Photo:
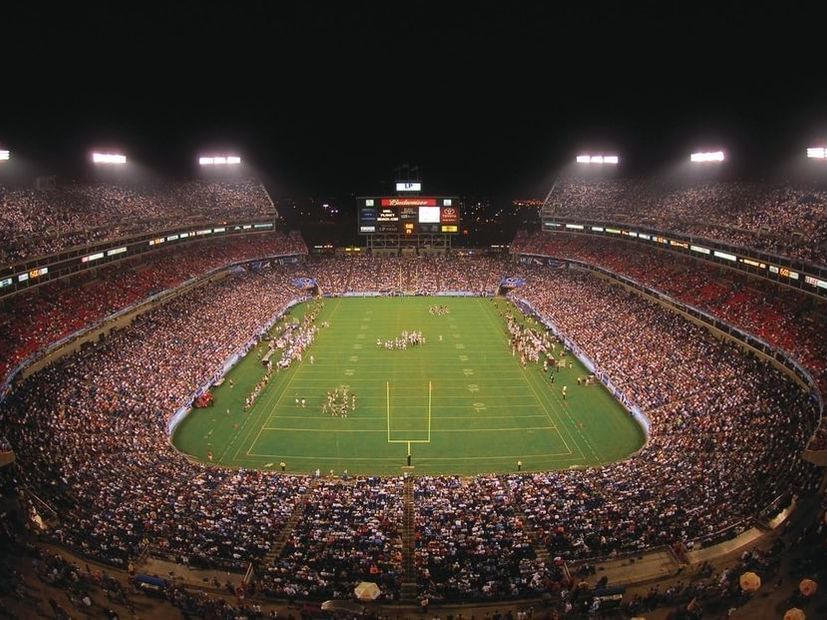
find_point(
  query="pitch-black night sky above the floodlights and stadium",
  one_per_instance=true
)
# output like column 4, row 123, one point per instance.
column 487, row 98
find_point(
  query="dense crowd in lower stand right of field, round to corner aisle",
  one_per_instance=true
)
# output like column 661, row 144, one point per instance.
column 726, row 438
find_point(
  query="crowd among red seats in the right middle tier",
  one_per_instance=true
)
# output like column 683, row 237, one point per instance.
column 791, row 321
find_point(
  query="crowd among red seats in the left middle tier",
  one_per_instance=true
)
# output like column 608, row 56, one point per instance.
column 34, row 319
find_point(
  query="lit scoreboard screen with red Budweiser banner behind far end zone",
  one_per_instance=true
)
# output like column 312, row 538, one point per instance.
column 408, row 215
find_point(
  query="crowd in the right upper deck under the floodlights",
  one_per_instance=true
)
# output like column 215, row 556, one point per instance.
column 780, row 218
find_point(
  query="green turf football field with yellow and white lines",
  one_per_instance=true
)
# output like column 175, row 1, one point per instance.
column 486, row 411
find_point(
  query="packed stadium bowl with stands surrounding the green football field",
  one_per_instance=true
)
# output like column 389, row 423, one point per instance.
column 193, row 397
